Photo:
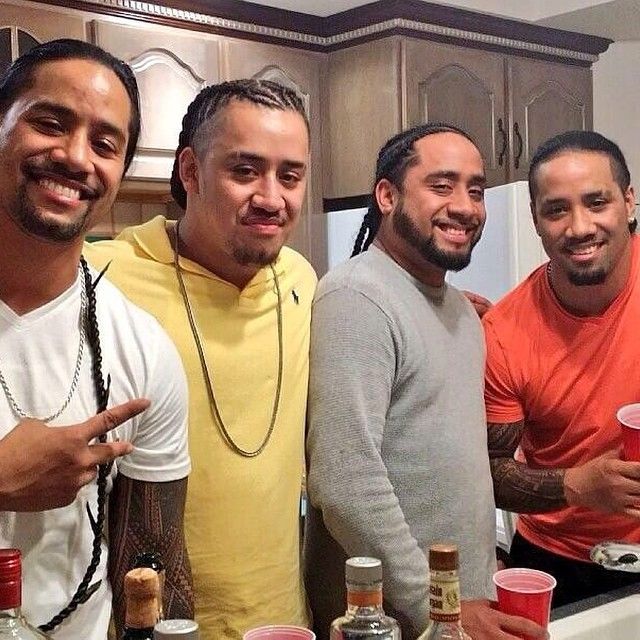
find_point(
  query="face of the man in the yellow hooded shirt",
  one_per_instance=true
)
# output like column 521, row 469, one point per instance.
column 245, row 189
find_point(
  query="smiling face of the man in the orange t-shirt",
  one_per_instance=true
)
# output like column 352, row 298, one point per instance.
column 581, row 215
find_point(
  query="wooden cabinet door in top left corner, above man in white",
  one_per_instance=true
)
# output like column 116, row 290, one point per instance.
column 21, row 28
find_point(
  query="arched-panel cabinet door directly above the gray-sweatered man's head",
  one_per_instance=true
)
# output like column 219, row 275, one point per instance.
column 463, row 87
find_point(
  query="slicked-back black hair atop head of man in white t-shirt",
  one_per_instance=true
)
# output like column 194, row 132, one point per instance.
column 18, row 78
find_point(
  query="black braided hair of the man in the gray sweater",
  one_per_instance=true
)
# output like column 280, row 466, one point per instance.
column 395, row 157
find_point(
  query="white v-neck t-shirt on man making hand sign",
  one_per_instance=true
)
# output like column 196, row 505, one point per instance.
column 37, row 357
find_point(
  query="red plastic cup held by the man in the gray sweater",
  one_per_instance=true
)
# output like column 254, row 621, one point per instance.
column 525, row 593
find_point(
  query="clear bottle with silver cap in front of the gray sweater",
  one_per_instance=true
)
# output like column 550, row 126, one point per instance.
column 365, row 618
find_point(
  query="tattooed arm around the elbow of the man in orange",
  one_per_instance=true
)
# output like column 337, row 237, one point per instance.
column 516, row 486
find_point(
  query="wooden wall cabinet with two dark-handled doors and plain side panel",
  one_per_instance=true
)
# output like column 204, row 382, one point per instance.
column 508, row 104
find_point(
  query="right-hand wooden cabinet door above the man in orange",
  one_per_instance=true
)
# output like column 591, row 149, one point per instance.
column 546, row 99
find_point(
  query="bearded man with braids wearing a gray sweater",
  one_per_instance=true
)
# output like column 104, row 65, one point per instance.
column 397, row 442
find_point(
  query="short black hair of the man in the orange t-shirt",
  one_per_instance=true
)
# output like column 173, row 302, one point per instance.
column 580, row 141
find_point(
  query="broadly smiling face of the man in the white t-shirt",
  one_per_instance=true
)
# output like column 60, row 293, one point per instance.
column 62, row 149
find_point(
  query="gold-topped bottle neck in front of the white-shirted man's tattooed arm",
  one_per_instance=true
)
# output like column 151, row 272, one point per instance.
column 141, row 590
